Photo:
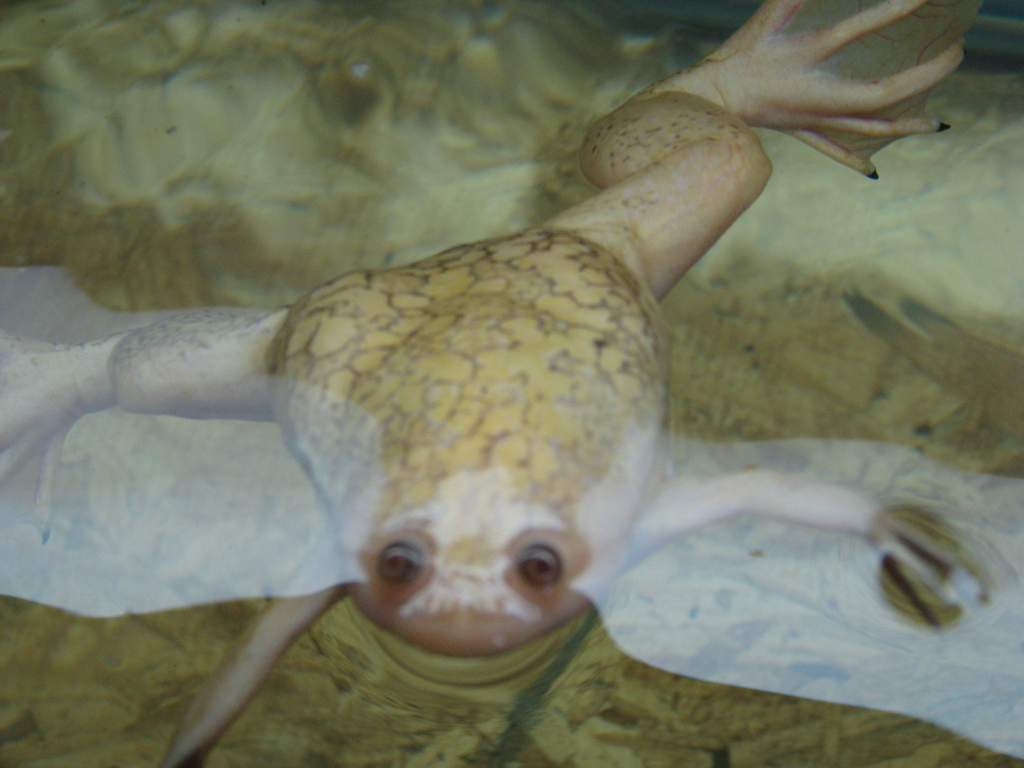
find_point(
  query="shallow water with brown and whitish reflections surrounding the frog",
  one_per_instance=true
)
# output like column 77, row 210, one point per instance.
column 172, row 155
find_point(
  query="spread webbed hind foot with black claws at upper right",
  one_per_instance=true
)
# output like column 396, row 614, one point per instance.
column 845, row 86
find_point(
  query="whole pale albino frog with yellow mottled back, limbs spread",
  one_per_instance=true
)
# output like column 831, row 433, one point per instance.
column 491, row 421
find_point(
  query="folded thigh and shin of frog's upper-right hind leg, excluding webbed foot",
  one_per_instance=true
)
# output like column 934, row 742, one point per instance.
column 678, row 170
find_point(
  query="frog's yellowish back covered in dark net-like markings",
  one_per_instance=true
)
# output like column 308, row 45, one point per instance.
column 532, row 353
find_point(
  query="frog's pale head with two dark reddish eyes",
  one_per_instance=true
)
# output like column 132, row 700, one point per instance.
column 474, row 572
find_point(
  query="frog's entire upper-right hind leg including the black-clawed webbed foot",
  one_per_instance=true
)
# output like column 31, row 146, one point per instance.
column 680, row 161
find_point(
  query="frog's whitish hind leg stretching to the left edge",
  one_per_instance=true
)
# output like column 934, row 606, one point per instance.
column 203, row 364
